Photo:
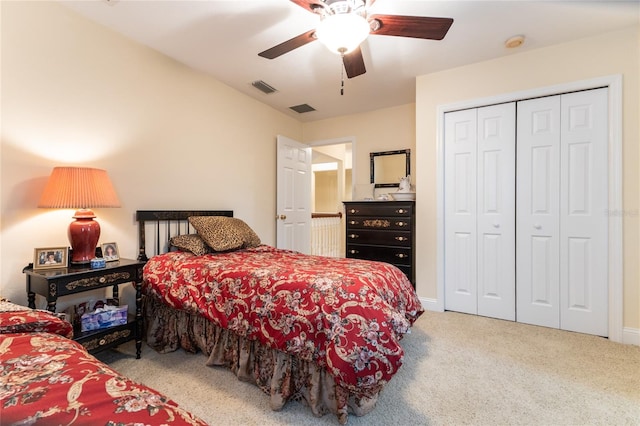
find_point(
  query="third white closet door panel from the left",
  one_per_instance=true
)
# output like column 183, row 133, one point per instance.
column 538, row 197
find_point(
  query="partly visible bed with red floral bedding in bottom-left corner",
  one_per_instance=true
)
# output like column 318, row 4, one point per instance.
column 47, row 379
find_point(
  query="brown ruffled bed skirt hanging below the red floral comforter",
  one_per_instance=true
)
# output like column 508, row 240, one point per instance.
column 283, row 377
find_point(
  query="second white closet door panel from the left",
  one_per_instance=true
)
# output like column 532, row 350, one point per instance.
column 496, row 211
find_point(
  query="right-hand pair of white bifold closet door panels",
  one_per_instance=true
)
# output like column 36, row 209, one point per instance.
column 562, row 257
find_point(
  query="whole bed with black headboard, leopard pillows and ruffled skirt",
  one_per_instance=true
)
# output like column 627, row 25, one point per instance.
column 324, row 331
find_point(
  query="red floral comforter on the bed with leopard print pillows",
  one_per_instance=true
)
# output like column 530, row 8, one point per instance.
column 346, row 315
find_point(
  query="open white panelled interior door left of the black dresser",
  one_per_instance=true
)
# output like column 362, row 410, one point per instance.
column 293, row 214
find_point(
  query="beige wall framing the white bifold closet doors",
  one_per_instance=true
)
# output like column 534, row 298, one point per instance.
column 608, row 54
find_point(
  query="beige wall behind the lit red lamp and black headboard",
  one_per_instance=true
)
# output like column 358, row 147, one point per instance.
column 74, row 93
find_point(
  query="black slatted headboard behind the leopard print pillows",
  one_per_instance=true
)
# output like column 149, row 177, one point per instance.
column 165, row 224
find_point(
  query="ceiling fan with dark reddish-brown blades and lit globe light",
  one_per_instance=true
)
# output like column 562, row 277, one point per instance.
column 344, row 24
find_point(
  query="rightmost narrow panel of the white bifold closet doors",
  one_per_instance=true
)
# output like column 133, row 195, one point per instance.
column 583, row 219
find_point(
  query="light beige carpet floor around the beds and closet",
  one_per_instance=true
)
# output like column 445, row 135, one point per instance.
column 459, row 370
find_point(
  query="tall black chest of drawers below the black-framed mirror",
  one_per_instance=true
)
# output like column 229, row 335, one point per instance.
column 384, row 231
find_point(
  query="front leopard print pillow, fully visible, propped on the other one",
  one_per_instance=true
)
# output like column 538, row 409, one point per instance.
column 223, row 233
